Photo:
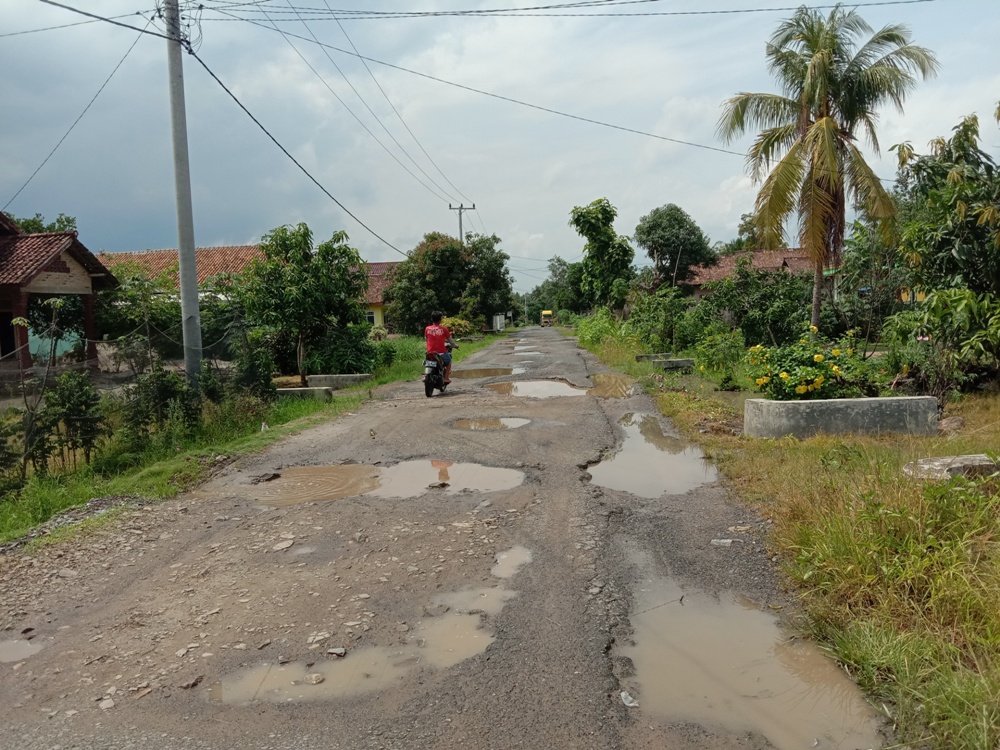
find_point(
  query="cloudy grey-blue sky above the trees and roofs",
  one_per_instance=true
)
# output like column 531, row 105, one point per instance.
column 666, row 73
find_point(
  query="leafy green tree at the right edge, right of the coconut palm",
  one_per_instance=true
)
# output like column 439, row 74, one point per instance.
column 952, row 238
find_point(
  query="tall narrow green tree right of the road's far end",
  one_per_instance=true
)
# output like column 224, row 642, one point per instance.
column 607, row 262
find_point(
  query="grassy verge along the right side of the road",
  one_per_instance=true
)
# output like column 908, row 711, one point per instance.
column 900, row 578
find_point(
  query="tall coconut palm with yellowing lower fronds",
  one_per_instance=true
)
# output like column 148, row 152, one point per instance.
column 832, row 81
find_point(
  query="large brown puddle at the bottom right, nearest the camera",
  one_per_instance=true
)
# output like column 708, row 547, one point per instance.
column 726, row 662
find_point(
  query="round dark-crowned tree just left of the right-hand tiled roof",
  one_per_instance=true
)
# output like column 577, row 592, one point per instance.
column 674, row 242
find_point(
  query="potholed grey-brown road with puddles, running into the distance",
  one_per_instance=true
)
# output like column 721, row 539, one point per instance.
column 393, row 579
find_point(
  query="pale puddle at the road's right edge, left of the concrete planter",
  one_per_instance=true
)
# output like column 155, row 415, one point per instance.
column 650, row 464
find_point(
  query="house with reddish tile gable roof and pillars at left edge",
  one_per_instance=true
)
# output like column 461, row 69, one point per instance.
column 45, row 264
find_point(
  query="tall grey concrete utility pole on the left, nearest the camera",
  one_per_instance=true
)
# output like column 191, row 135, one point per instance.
column 190, row 317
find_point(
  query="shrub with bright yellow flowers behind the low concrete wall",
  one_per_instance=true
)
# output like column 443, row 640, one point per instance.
column 813, row 367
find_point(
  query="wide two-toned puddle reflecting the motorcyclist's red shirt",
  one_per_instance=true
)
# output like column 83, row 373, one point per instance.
column 302, row 484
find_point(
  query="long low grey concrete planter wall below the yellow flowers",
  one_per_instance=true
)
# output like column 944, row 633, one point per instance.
column 913, row 415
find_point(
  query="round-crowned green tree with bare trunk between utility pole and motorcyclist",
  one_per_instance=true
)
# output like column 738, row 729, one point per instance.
column 304, row 291
